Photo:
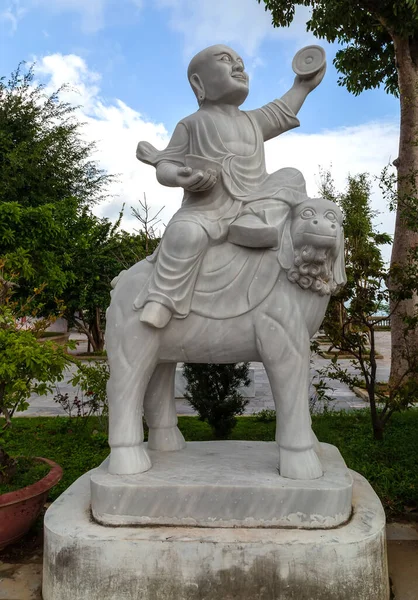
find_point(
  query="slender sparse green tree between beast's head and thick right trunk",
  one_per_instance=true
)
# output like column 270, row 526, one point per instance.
column 351, row 320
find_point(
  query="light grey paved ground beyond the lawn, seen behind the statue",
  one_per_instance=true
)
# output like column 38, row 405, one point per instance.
column 343, row 397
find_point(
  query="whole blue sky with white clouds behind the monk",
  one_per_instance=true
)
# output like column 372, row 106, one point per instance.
column 127, row 59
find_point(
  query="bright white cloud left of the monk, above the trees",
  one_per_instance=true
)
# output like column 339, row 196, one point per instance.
column 116, row 128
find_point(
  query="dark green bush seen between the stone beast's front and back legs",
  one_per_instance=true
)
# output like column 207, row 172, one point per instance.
column 212, row 390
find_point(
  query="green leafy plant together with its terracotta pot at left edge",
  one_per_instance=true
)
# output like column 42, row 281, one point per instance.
column 26, row 366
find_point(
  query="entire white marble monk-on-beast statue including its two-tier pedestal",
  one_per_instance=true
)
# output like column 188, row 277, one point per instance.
column 244, row 272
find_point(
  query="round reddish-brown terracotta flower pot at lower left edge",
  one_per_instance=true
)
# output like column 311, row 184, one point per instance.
column 19, row 509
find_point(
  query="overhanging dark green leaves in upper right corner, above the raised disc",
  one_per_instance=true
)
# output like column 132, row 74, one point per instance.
column 365, row 29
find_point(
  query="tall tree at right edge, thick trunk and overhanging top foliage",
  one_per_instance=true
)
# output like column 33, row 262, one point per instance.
column 380, row 47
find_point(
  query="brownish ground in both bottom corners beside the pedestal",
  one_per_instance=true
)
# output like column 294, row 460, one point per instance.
column 21, row 580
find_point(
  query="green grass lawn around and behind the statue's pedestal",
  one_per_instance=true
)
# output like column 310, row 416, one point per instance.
column 390, row 465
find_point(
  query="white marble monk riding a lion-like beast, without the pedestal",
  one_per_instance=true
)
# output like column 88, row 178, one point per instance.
column 244, row 271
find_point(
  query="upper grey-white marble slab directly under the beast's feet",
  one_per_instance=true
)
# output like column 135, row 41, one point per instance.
column 224, row 484
